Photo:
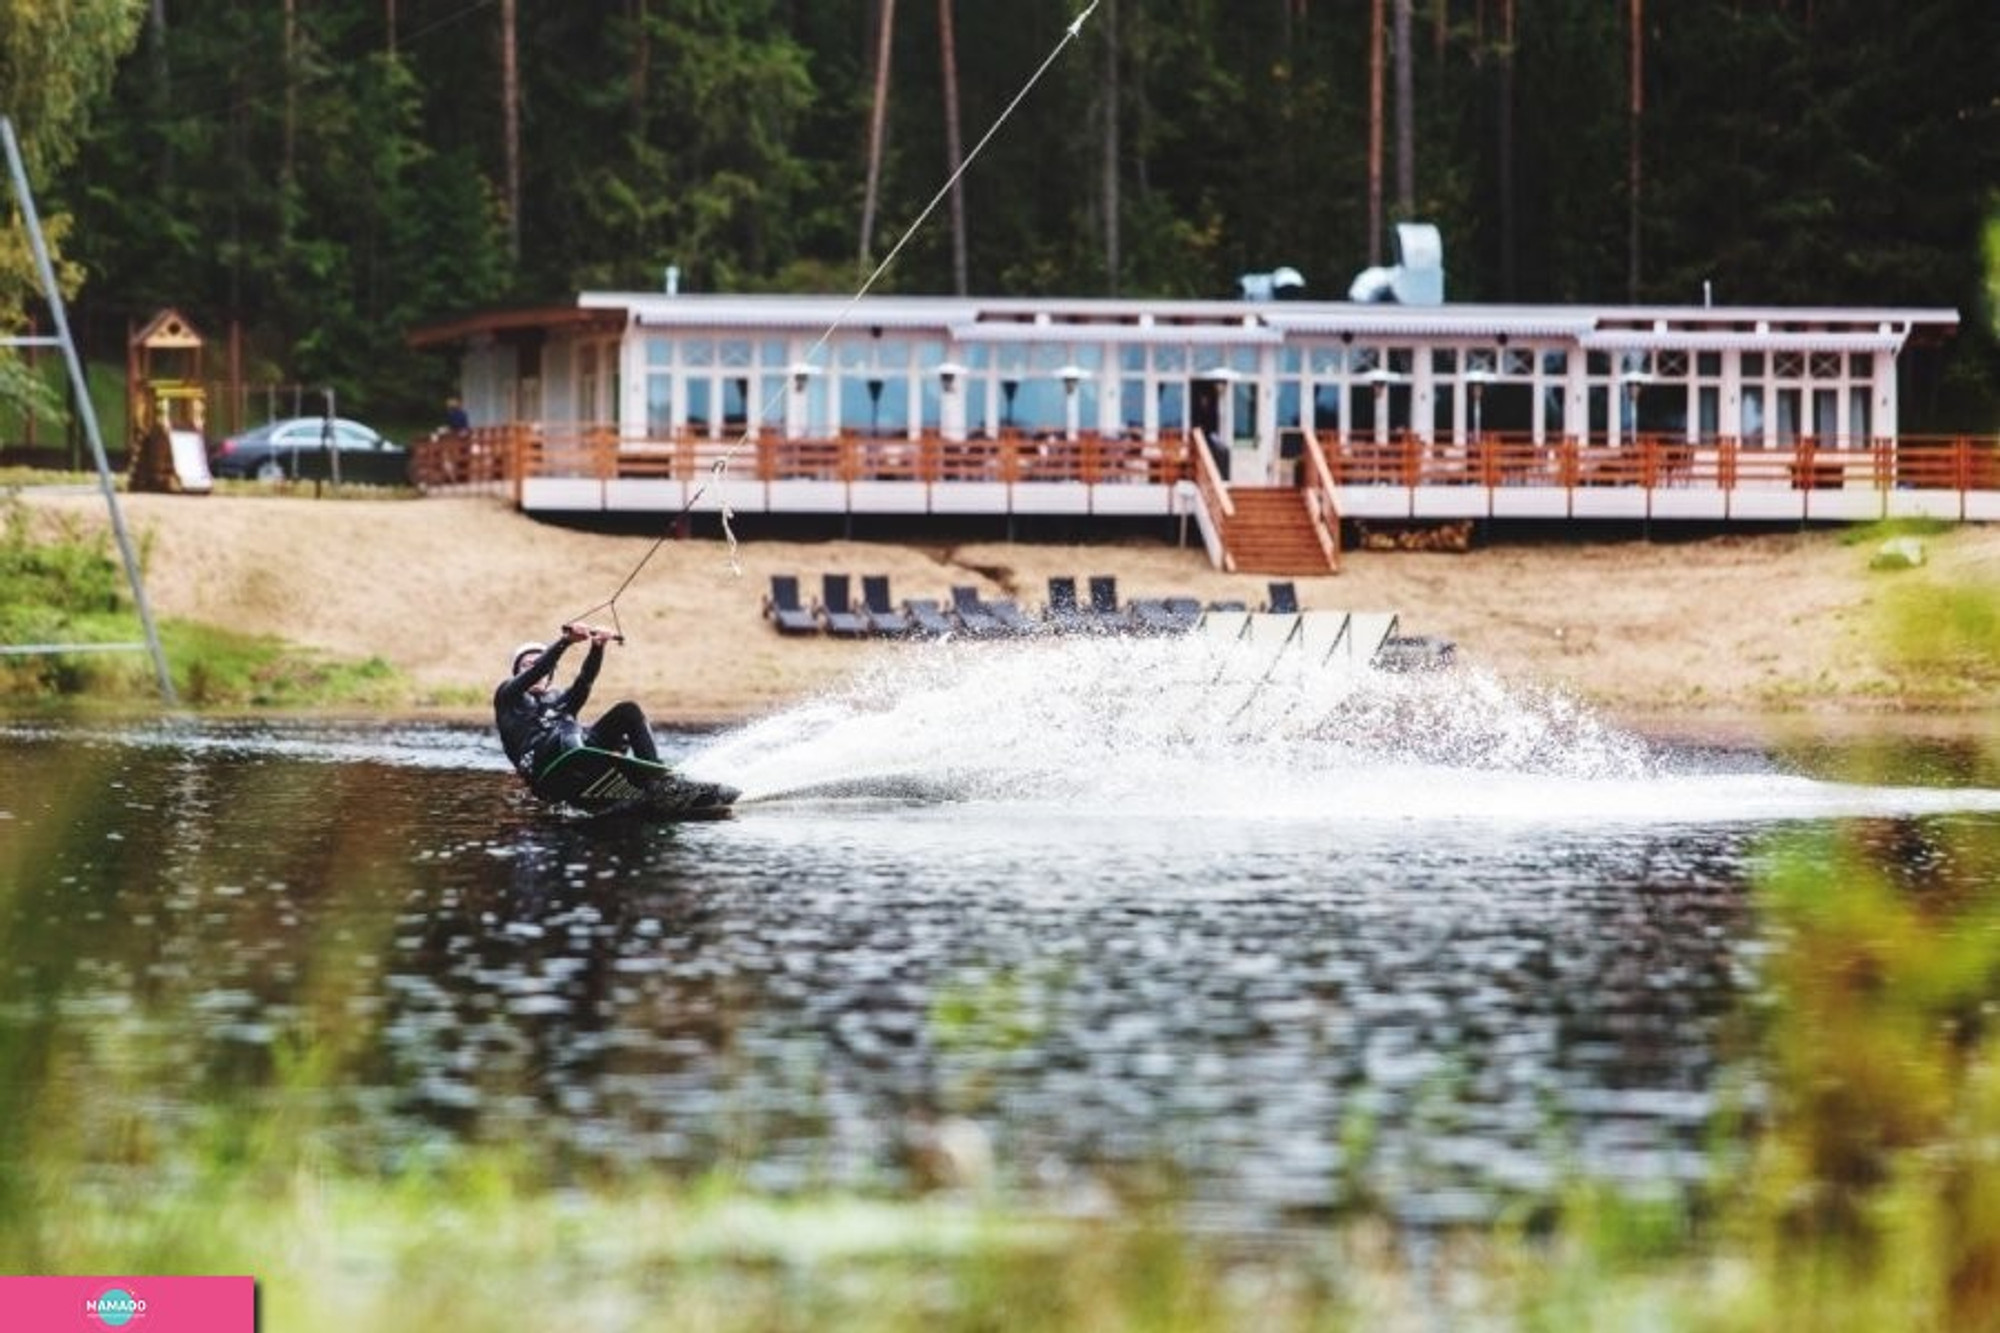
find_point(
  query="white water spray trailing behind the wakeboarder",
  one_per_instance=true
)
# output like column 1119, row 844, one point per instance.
column 1193, row 728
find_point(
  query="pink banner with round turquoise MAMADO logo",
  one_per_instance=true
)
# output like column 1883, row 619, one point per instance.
column 139, row 1304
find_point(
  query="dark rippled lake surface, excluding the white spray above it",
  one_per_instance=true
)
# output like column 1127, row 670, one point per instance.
column 1281, row 1018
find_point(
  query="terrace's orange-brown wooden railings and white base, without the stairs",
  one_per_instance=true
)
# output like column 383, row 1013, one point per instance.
column 591, row 469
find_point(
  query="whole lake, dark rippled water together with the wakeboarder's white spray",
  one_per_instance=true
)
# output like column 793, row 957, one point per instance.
column 1057, row 920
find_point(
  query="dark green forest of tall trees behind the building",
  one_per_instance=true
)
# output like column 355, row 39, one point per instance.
column 325, row 175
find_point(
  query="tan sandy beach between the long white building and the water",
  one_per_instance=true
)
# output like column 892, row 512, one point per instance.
column 445, row 587
